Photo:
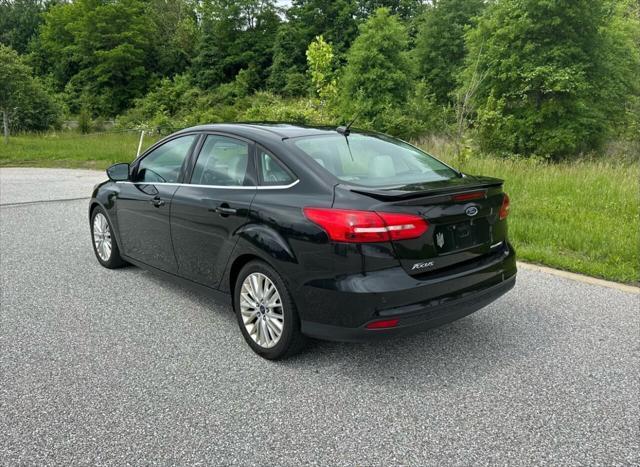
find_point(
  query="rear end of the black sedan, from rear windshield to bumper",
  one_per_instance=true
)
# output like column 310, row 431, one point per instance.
column 410, row 245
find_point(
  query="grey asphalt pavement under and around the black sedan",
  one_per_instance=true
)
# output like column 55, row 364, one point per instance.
column 108, row 367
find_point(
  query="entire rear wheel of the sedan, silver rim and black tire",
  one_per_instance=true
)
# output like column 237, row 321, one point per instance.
column 266, row 313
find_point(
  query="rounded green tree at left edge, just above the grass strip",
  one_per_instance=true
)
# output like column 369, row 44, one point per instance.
column 24, row 103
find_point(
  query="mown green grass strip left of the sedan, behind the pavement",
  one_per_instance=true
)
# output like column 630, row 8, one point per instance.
column 73, row 150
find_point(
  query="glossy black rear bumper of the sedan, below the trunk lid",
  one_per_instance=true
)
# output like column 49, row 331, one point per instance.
column 340, row 309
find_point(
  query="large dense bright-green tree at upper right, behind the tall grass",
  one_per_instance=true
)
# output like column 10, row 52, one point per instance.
column 544, row 64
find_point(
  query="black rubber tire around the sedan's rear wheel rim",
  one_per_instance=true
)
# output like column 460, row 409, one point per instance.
column 291, row 340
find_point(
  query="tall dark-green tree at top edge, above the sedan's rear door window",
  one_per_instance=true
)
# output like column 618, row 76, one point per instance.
column 235, row 35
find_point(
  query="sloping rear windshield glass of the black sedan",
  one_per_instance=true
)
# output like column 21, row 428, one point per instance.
column 373, row 160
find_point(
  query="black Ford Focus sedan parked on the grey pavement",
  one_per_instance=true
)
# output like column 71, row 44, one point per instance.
column 320, row 232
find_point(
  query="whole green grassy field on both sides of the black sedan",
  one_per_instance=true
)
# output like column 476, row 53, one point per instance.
column 582, row 217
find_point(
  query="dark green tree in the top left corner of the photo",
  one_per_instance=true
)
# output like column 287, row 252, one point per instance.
column 19, row 21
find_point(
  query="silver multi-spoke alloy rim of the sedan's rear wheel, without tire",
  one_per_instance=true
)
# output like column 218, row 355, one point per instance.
column 261, row 310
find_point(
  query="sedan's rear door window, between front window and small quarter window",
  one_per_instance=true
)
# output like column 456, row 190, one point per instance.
column 222, row 161
